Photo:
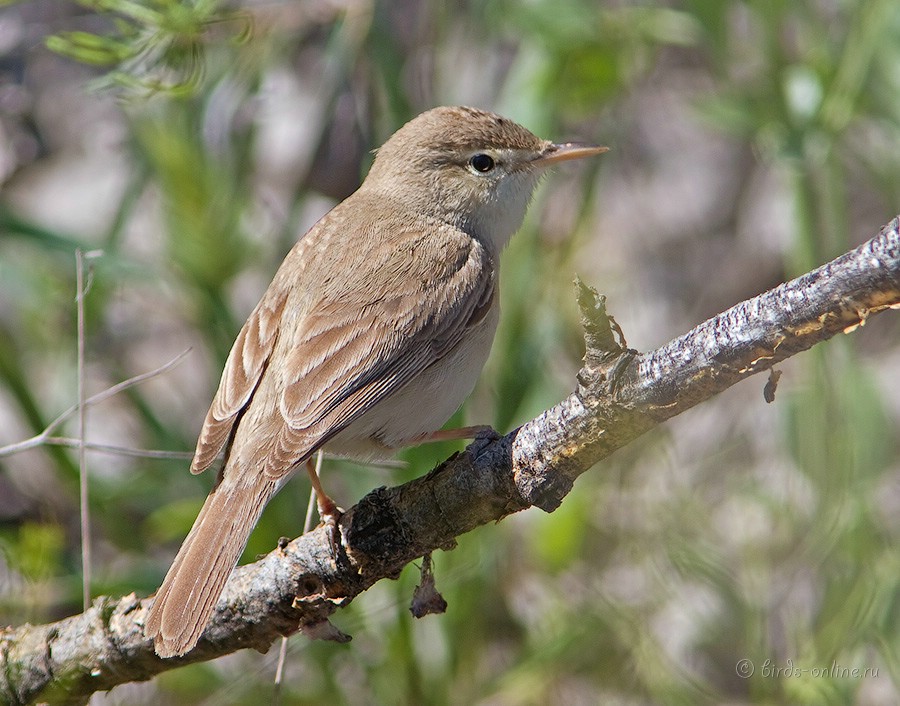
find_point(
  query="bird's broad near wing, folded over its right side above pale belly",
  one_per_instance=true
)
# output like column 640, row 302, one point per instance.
column 418, row 299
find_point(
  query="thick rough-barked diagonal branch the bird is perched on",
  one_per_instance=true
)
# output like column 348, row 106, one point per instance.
column 621, row 395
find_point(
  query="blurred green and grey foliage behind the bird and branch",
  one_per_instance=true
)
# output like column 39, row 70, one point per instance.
column 751, row 141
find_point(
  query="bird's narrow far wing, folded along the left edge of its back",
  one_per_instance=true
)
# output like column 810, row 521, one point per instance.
column 243, row 370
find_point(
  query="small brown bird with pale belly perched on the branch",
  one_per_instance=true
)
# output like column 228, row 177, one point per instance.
column 371, row 335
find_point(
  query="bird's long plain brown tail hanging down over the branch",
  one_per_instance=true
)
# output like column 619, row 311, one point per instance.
column 210, row 552
